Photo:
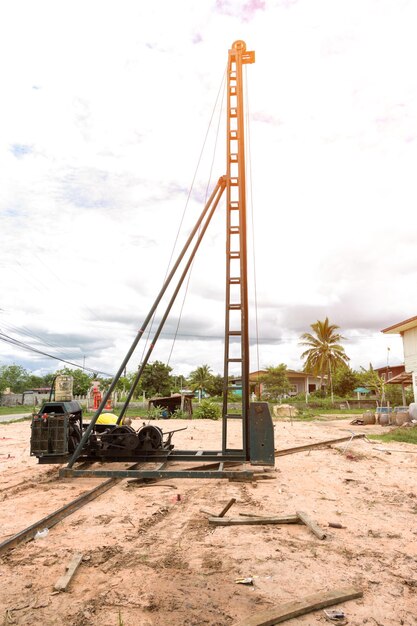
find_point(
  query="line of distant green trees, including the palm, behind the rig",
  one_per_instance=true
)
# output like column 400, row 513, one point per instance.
column 324, row 358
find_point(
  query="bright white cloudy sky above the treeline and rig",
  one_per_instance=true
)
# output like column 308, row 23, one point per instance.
column 105, row 107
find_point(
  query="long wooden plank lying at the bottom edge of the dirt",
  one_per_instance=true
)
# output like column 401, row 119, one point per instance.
column 301, row 607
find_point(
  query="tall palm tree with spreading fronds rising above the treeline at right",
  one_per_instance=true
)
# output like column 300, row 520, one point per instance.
column 324, row 352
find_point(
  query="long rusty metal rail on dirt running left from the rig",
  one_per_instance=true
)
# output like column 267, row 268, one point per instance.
column 58, row 515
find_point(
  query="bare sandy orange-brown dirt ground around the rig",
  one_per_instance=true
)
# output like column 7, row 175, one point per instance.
column 151, row 559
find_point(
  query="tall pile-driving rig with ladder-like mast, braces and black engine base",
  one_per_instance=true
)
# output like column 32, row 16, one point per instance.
column 149, row 444
